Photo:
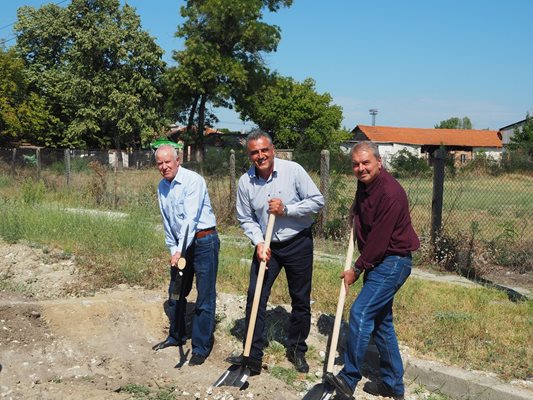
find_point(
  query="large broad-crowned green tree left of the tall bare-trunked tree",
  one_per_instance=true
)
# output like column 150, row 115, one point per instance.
column 98, row 69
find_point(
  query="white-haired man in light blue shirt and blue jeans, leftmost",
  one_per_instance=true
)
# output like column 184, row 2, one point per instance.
column 188, row 218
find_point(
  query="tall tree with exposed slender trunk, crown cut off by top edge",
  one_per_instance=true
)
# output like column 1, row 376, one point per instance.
column 224, row 43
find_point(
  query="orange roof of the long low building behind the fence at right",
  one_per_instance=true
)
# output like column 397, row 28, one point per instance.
column 430, row 136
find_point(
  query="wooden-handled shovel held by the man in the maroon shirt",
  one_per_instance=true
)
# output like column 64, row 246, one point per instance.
column 323, row 391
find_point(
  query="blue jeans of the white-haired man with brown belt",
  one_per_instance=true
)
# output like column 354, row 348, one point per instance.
column 202, row 261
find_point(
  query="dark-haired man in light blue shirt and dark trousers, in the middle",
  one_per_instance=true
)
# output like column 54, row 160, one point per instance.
column 283, row 188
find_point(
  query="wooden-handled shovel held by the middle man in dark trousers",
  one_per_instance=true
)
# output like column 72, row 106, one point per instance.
column 236, row 375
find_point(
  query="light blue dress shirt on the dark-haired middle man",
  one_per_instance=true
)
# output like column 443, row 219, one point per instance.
column 288, row 182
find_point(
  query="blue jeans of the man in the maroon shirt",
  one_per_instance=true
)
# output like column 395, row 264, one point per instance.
column 371, row 314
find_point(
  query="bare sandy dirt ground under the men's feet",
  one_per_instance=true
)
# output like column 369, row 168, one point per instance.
column 58, row 341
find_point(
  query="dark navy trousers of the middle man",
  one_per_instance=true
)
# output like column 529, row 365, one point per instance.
column 296, row 256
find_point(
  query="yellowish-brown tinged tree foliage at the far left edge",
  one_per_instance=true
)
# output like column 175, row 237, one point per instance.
column 24, row 115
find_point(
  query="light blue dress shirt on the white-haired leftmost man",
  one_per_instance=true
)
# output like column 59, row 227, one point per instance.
column 184, row 202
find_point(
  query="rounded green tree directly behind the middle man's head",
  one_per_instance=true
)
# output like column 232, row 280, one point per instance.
column 295, row 115
